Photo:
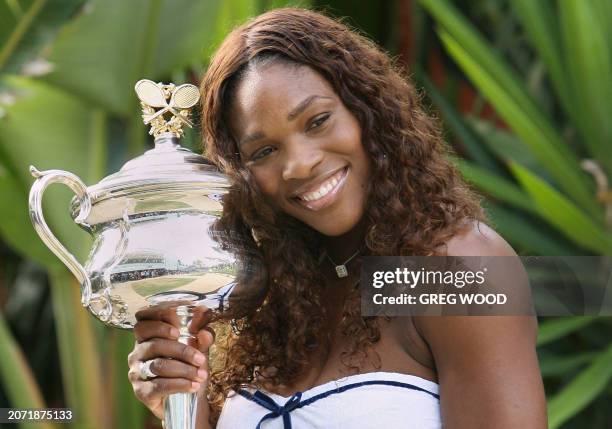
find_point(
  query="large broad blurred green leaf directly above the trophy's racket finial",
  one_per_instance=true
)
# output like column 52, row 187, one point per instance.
column 101, row 54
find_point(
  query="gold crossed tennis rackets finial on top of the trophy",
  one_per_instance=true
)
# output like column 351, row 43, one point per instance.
column 155, row 96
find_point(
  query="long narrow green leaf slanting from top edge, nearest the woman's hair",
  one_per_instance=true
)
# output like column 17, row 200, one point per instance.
column 504, row 91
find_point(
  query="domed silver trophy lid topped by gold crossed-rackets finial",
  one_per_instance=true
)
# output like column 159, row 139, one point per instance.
column 166, row 172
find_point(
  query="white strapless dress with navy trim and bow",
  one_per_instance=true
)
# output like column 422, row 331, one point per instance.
column 363, row 401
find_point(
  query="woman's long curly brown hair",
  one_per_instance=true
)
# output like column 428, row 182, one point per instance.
column 416, row 199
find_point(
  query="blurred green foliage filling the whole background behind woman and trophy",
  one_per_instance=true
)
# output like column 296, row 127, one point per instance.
column 67, row 70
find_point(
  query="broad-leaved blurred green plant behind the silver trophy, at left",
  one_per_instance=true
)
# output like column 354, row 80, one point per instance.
column 68, row 69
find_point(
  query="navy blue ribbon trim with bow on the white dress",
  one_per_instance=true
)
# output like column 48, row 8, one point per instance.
column 295, row 401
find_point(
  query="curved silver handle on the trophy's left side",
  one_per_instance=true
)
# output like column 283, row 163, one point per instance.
column 44, row 179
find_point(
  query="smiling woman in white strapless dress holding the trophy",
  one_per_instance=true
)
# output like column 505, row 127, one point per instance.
column 331, row 158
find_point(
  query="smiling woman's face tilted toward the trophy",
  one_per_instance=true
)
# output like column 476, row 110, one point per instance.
column 302, row 146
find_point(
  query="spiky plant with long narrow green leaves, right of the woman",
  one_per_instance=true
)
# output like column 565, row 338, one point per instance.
column 544, row 164
